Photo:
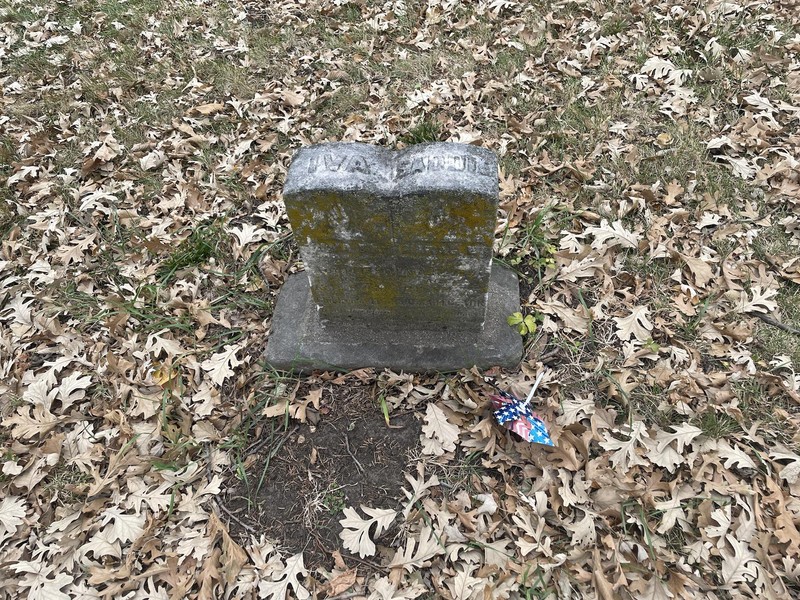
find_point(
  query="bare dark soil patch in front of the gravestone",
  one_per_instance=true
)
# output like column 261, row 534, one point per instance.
column 349, row 458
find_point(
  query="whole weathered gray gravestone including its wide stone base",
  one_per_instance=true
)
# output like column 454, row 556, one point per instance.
column 397, row 247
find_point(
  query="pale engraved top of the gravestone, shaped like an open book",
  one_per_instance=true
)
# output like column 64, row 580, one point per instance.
column 354, row 166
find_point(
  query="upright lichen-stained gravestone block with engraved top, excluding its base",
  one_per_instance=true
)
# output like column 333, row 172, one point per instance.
column 402, row 238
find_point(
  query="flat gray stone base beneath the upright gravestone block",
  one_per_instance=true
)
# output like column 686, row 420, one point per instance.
column 299, row 343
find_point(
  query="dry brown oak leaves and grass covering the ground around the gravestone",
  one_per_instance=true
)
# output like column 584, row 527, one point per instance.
column 650, row 194
